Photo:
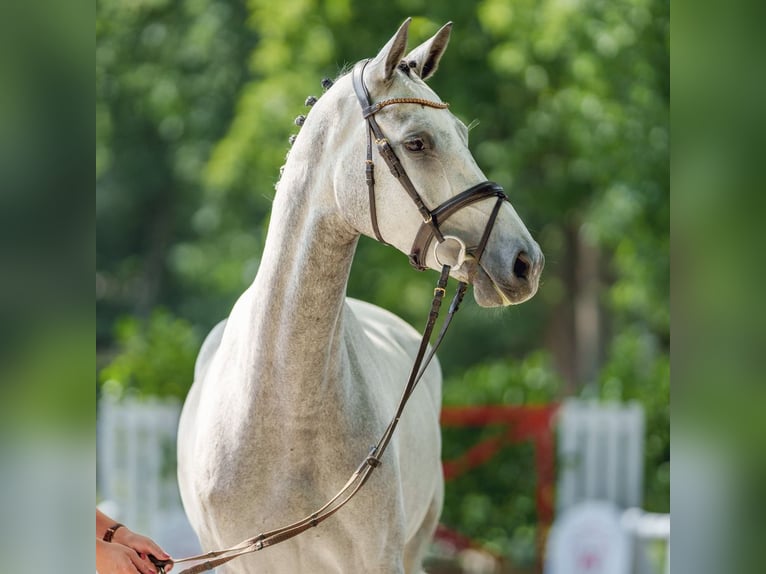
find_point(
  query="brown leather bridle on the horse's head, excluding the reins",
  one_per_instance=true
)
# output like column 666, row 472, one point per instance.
column 432, row 218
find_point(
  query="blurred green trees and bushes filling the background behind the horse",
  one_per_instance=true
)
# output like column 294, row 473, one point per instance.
column 195, row 101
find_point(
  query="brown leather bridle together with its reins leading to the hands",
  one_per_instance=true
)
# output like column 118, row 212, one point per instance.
column 424, row 237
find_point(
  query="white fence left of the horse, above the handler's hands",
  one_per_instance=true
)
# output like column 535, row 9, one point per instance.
column 136, row 476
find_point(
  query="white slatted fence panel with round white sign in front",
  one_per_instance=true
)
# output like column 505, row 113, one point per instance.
column 600, row 528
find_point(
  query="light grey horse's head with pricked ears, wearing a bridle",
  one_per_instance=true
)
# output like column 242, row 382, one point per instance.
column 448, row 208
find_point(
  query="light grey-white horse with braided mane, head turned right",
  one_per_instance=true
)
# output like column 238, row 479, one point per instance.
column 292, row 390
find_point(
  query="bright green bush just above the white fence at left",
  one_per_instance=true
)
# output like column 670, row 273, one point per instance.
column 155, row 357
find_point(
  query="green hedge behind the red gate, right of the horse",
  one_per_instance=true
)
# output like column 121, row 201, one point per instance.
column 494, row 504
